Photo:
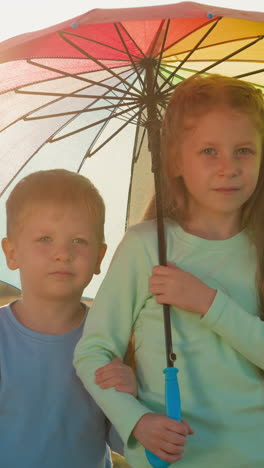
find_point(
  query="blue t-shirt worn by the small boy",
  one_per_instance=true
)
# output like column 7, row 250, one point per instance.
column 47, row 418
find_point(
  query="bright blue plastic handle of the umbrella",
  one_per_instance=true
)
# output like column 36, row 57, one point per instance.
column 173, row 409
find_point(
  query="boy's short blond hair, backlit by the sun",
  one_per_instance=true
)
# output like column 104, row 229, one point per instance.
column 57, row 186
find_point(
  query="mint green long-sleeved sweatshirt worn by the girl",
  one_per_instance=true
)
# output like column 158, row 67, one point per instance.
column 219, row 356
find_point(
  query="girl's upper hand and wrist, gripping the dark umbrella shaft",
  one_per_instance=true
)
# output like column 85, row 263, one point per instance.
column 172, row 285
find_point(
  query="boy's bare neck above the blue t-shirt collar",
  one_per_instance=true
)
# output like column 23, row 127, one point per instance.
column 48, row 317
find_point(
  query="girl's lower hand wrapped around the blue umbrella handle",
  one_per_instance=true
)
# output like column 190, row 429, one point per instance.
column 162, row 436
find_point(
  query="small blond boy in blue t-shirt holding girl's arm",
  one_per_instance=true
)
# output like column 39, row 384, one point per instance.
column 55, row 237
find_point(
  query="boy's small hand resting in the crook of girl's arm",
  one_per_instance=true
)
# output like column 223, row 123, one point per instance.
column 117, row 374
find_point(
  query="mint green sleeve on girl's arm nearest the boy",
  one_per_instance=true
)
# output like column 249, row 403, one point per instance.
column 108, row 328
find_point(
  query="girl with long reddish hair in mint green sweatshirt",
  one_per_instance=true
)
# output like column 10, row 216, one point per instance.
column 212, row 143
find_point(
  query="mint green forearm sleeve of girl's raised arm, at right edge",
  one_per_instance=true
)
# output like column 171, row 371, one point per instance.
column 241, row 330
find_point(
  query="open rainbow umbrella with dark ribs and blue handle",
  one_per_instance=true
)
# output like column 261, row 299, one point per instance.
column 69, row 92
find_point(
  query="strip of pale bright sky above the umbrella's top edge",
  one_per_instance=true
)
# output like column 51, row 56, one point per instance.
column 19, row 16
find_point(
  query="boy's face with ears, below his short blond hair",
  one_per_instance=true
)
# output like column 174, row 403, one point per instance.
column 56, row 251
